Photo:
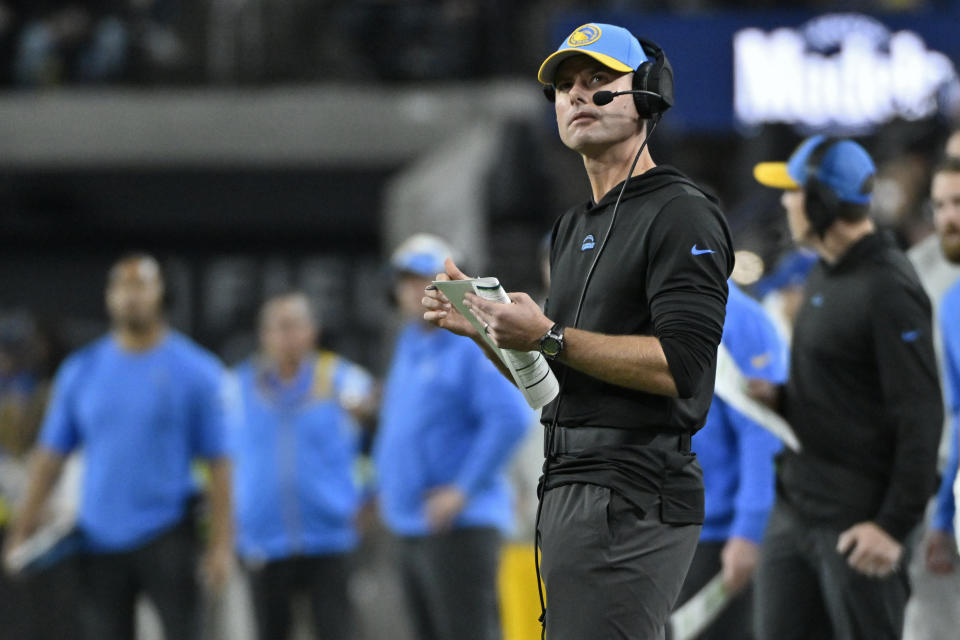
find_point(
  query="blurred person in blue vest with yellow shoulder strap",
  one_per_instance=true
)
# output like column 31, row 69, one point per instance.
column 295, row 450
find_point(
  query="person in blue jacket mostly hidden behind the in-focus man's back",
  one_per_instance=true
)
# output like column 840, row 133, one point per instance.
column 737, row 456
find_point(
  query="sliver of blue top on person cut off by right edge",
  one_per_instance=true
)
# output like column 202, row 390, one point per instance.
column 950, row 325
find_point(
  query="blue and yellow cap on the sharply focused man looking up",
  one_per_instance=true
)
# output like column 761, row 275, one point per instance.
column 612, row 46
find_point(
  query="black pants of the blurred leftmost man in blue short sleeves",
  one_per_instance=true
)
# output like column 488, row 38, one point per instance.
column 164, row 570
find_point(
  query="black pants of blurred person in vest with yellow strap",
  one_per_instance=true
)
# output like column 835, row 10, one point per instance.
column 322, row 578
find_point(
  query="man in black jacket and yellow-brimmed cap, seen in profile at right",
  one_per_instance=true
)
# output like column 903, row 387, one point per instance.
column 864, row 400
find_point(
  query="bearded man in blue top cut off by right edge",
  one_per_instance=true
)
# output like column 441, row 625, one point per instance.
column 940, row 547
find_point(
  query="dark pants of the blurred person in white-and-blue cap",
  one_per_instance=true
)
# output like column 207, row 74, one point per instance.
column 450, row 583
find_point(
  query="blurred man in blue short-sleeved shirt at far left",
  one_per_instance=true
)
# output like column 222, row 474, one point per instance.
column 142, row 403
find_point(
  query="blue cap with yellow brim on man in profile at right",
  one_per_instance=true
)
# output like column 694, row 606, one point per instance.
column 845, row 168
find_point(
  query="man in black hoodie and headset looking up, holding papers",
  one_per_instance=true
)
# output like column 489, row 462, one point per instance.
column 633, row 339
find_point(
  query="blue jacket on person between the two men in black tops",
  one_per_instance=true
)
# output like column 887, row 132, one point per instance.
column 736, row 453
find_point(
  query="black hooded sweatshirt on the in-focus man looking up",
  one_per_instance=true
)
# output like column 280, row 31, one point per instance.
column 662, row 273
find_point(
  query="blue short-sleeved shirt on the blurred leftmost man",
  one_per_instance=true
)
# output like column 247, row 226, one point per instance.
column 140, row 418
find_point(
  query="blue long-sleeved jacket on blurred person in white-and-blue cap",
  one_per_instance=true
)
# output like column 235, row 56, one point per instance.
column 448, row 417
